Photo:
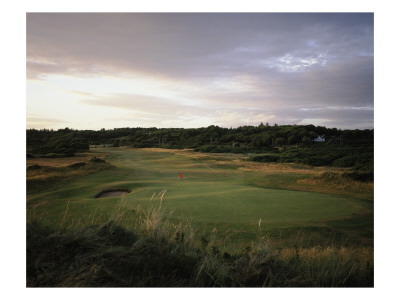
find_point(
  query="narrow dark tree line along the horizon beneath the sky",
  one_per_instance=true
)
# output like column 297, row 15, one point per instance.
column 208, row 139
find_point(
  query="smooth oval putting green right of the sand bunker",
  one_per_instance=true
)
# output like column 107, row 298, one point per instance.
column 222, row 203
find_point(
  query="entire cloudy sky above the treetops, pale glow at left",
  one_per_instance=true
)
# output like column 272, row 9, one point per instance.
column 105, row 70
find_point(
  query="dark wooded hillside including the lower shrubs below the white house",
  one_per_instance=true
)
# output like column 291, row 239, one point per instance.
column 244, row 139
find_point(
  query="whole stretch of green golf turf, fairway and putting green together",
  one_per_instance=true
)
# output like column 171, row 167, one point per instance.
column 213, row 191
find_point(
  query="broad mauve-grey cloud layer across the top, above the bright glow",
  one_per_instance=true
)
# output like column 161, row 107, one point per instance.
column 182, row 44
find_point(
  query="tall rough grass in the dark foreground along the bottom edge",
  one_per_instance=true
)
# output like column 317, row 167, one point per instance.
column 154, row 252
